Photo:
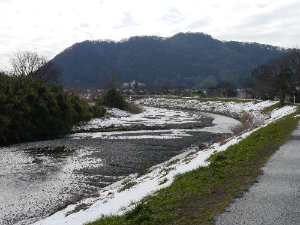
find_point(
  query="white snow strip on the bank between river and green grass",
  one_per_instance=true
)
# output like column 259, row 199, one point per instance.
column 115, row 199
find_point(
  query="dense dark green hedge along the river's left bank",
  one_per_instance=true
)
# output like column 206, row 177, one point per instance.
column 30, row 108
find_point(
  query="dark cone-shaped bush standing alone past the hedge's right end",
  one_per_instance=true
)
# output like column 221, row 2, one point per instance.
column 113, row 99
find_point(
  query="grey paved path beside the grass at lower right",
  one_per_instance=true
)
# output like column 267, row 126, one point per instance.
column 275, row 199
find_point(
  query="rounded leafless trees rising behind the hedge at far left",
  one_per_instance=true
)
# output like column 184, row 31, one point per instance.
column 34, row 65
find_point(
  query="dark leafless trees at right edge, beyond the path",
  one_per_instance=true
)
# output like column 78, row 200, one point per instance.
column 279, row 78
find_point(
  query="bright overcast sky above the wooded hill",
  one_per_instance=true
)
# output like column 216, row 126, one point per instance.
column 50, row 26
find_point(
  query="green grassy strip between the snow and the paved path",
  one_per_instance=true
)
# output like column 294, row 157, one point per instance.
column 198, row 196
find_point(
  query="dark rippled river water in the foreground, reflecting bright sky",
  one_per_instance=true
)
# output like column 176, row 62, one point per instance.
column 39, row 178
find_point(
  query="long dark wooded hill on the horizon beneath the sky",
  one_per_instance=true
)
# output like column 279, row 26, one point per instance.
column 189, row 59
